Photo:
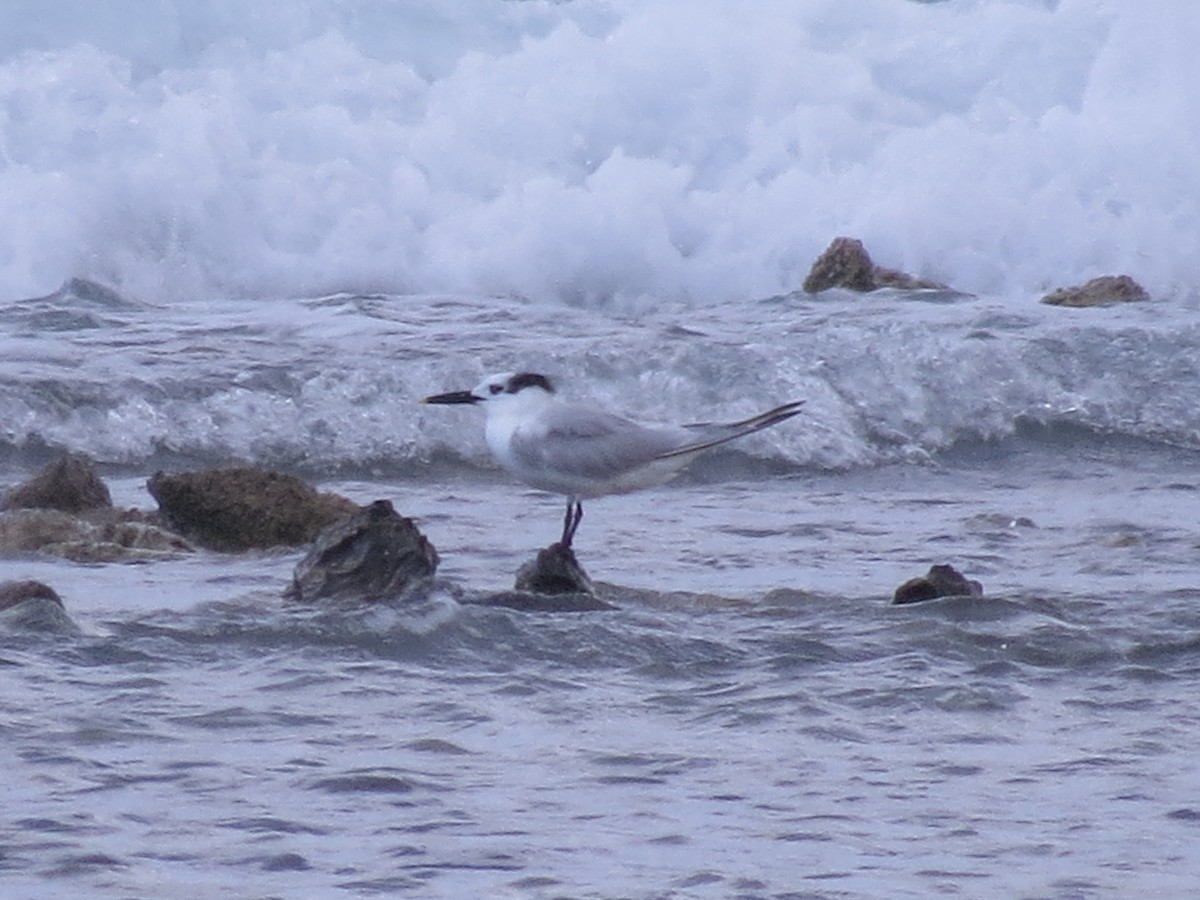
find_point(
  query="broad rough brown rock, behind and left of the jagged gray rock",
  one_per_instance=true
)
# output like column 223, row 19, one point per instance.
column 244, row 508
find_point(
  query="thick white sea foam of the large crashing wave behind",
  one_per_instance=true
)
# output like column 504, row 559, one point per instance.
column 593, row 152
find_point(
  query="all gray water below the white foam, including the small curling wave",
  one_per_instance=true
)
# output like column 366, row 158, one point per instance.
column 755, row 721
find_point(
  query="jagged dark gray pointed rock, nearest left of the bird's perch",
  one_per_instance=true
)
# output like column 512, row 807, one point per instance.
column 374, row 555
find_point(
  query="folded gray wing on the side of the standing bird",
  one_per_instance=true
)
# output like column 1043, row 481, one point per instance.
column 591, row 445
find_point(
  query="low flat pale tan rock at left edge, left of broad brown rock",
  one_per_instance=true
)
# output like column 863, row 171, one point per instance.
column 99, row 537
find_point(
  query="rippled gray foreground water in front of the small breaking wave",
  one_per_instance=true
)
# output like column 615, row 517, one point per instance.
column 796, row 737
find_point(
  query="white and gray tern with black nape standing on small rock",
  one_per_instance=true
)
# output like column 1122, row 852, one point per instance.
column 584, row 452
